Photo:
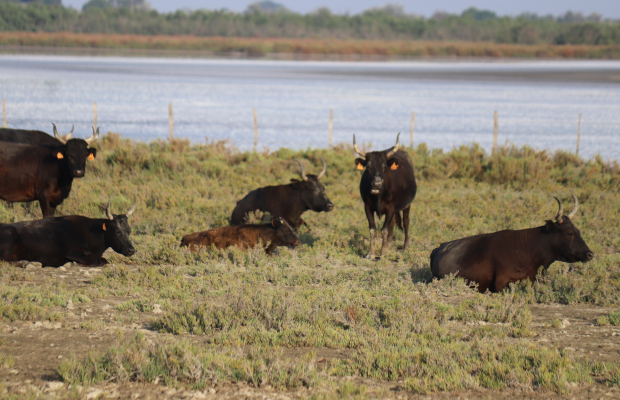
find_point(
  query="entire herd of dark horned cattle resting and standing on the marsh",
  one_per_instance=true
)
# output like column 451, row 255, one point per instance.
column 37, row 166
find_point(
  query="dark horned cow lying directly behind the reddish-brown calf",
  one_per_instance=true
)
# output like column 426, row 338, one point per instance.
column 286, row 201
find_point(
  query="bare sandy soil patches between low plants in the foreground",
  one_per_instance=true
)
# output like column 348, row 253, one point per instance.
column 39, row 346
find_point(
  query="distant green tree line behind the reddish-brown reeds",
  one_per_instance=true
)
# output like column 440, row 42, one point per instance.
column 269, row 19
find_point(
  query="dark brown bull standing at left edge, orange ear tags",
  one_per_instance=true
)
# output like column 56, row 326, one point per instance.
column 43, row 170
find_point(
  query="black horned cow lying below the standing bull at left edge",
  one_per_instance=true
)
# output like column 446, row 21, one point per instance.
column 56, row 241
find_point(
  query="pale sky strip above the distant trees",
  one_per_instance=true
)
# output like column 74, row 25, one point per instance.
column 608, row 8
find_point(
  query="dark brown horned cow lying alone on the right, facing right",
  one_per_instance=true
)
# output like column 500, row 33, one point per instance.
column 493, row 260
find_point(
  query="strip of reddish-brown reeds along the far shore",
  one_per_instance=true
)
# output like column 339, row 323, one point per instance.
column 263, row 46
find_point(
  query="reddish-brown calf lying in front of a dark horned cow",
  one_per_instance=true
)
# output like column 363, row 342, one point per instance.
column 277, row 233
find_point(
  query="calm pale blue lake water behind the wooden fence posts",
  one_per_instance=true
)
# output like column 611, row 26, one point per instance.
column 538, row 101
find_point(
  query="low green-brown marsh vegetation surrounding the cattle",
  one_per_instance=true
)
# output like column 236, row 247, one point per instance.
column 318, row 320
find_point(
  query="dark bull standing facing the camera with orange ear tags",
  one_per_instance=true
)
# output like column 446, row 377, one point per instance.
column 387, row 188
